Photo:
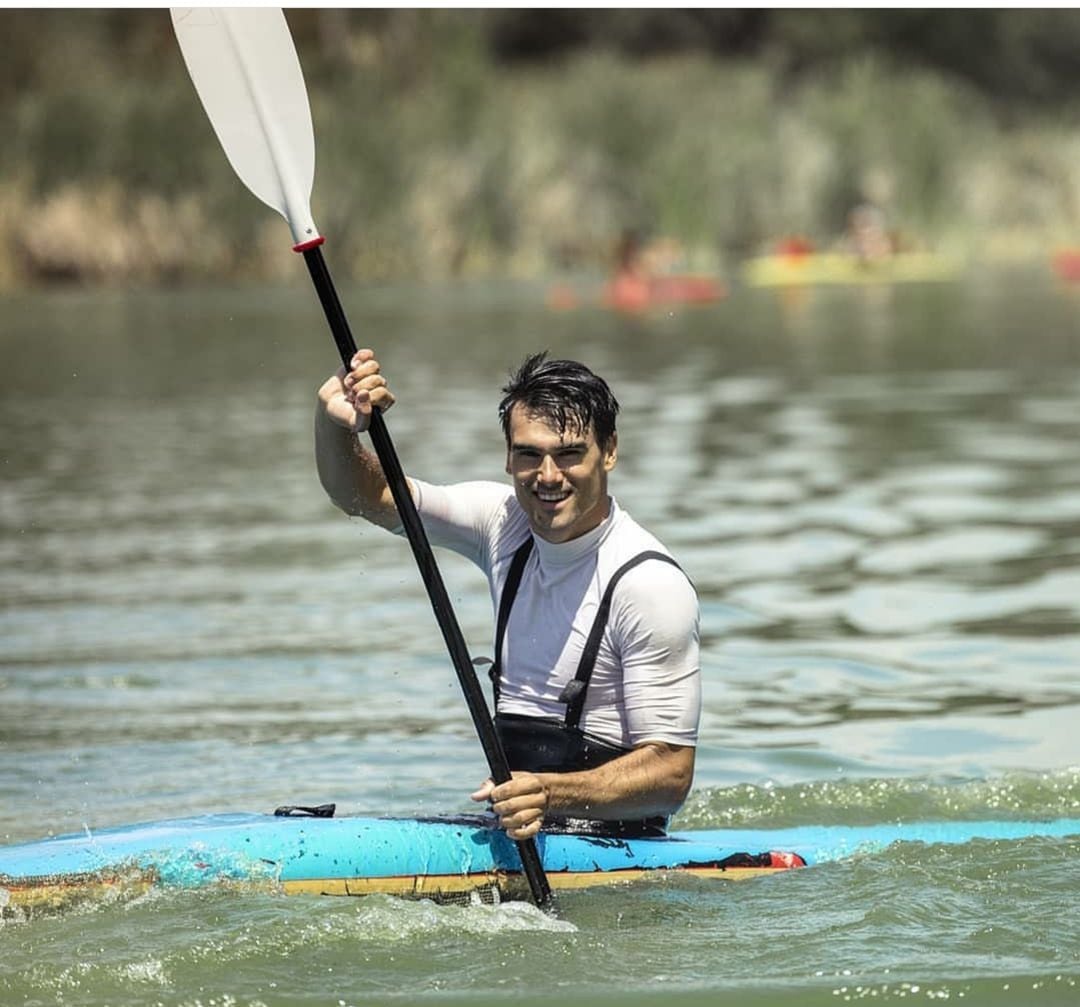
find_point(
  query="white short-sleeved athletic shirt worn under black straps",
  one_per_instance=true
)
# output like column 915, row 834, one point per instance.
column 646, row 686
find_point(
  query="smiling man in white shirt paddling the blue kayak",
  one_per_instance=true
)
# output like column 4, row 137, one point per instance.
column 597, row 653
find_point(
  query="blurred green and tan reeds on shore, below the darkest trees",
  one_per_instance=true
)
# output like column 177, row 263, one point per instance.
column 458, row 165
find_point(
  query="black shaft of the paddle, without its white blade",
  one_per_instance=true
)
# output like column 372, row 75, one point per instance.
column 429, row 571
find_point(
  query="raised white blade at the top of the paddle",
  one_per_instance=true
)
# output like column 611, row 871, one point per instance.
column 245, row 66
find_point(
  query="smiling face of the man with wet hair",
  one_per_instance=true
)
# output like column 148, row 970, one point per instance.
column 560, row 479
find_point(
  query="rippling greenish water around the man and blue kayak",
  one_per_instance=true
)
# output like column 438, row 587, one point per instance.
column 876, row 492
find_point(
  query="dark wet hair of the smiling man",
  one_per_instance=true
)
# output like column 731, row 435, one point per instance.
column 565, row 394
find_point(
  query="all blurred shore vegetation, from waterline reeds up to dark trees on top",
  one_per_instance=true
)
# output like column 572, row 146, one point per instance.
column 456, row 142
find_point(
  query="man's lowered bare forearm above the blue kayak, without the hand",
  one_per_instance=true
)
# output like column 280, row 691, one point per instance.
column 653, row 780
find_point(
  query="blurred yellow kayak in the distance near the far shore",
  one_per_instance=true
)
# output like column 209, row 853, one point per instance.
column 794, row 270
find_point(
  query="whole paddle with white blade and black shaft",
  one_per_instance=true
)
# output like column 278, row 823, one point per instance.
column 245, row 66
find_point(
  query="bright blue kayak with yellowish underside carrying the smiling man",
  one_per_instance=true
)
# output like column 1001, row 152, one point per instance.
column 445, row 860
